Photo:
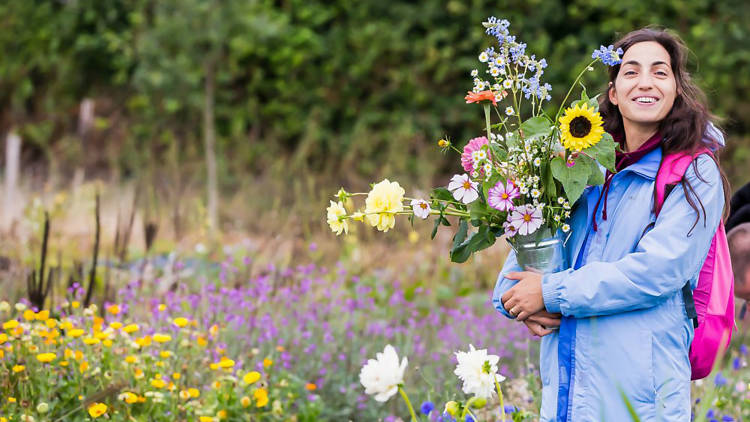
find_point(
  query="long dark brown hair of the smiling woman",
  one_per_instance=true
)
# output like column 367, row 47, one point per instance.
column 686, row 126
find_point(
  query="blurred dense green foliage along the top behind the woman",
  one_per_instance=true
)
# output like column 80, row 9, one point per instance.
column 361, row 87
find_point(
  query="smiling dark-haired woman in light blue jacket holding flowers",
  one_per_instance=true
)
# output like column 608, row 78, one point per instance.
column 624, row 330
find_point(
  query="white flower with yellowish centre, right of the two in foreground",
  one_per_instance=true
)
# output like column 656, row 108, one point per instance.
column 478, row 371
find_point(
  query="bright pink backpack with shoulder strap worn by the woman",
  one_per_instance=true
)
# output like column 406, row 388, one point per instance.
column 711, row 304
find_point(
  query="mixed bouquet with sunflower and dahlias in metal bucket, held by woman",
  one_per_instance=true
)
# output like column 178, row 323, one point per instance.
column 521, row 177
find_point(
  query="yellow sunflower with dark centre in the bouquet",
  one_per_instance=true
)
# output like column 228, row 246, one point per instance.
column 581, row 128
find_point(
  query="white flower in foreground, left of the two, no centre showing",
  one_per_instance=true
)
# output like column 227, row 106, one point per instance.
column 382, row 376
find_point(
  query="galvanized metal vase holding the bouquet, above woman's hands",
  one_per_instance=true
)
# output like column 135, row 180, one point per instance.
column 546, row 255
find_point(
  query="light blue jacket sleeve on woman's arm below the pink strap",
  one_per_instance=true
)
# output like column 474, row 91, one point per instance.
column 664, row 259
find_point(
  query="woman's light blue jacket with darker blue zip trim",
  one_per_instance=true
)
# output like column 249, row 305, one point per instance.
column 625, row 328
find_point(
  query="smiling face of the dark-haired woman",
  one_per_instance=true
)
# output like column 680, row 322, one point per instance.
column 645, row 87
